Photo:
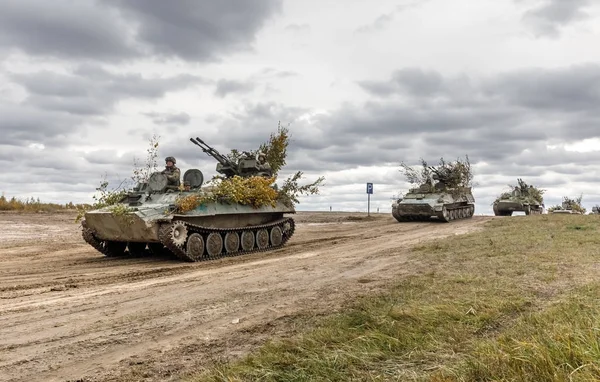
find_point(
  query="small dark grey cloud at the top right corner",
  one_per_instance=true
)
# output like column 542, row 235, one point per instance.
column 547, row 19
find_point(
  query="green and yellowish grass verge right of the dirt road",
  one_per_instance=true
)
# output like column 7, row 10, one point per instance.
column 516, row 302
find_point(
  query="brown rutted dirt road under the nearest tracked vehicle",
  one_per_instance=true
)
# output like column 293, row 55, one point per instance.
column 69, row 313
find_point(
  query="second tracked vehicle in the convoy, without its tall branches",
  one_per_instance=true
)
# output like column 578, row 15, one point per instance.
column 435, row 201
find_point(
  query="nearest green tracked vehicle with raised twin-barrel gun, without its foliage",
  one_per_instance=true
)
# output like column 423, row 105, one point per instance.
column 208, row 231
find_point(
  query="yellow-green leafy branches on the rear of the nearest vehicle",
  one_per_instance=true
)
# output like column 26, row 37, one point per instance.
column 255, row 191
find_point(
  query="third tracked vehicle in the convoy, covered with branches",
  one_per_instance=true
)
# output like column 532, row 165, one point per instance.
column 523, row 198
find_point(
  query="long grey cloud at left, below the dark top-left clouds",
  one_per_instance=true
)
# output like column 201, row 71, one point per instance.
column 91, row 90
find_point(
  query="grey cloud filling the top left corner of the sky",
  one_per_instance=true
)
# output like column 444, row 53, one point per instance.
column 64, row 29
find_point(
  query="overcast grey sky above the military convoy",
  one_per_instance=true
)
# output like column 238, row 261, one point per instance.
column 364, row 85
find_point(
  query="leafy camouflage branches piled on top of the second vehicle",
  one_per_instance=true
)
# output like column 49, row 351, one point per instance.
column 452, row 175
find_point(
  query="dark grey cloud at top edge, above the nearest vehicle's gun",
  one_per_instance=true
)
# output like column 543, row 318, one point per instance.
column 197, row 30
